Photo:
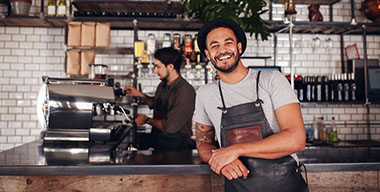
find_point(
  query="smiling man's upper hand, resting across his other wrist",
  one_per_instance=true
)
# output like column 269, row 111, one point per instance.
column 221, row 157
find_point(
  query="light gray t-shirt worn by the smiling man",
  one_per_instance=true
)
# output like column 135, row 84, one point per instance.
column 274, row 90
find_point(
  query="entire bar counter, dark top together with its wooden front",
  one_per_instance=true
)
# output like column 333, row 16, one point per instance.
column 73, row 162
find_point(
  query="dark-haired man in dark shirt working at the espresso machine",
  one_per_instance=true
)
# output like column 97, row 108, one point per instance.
column 173, row 105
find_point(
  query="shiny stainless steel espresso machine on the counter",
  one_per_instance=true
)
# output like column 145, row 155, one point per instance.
column 81, row 110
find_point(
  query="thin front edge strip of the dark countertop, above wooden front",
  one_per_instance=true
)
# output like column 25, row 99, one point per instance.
column 25, row 170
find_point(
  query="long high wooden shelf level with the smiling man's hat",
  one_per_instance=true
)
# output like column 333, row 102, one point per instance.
column 145, row 23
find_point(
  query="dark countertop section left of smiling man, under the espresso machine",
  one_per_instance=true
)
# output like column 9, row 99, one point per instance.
column 36, row 158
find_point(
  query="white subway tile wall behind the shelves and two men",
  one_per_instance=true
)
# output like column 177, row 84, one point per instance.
column 28, row 53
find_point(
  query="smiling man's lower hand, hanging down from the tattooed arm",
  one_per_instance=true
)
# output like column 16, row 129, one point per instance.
column 235, row 170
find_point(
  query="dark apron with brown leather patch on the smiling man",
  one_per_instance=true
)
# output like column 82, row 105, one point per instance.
column 247, row 122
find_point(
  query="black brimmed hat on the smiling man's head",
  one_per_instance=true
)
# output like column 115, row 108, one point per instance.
column 220, row 22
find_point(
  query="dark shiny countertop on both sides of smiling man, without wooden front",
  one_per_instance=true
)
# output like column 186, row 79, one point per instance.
column 36, row 158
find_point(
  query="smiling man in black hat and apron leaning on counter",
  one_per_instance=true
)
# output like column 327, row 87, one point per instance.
column 255, row 116
